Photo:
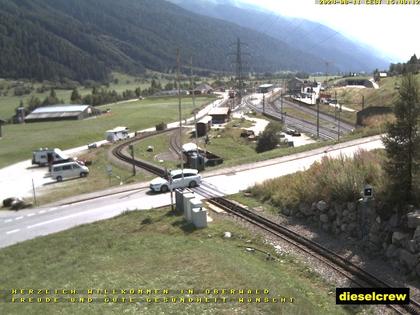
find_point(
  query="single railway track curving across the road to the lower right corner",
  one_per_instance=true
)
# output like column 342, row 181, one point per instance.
column 358, row 276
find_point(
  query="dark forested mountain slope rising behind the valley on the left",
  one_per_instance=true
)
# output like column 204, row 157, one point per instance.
column 85, row 39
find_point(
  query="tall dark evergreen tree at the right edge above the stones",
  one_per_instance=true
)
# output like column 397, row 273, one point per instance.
column 402, row 143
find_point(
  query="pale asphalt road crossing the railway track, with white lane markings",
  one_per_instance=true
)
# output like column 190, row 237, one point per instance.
column 27, row 224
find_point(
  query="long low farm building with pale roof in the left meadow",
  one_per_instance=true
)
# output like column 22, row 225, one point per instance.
column 61, row 112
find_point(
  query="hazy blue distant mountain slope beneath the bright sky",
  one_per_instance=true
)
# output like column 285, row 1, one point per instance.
column 319, row 40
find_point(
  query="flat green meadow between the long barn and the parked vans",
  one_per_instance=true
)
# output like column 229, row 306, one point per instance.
column 19, row 140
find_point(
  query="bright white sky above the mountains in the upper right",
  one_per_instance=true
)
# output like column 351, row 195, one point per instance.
column 392, row 29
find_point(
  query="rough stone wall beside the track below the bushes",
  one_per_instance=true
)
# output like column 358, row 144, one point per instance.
column 398, row 239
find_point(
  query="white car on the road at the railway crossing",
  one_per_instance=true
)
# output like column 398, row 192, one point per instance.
column 175, row 180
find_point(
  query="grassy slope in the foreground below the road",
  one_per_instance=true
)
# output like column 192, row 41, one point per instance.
column 158, row 250
